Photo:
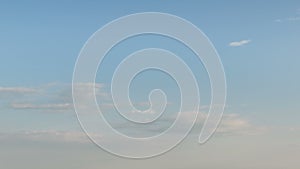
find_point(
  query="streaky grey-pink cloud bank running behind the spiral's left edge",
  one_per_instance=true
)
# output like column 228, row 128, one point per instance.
column 52, row 97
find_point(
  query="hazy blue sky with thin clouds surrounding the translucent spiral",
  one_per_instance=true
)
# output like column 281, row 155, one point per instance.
column 258, row 44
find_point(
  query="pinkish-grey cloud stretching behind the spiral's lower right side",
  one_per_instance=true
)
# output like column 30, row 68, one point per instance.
column 231, row 124
